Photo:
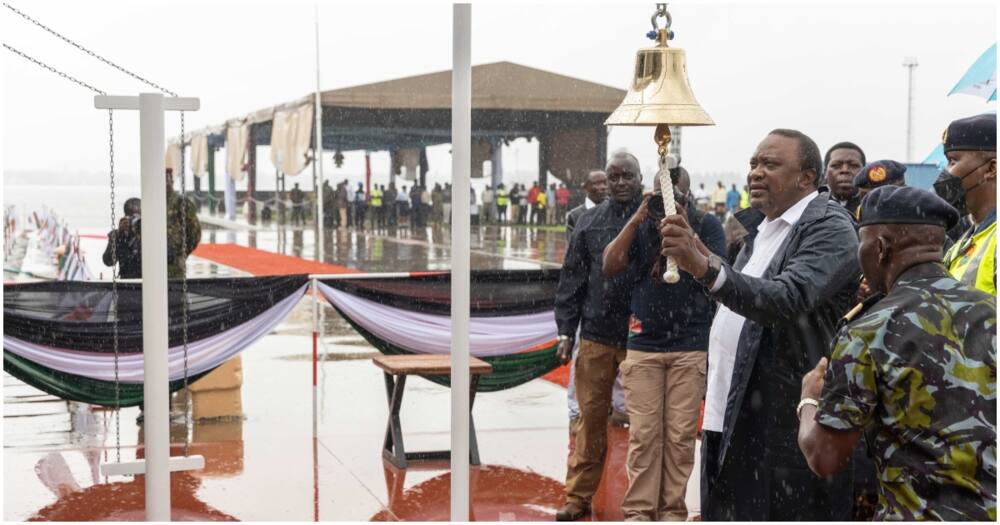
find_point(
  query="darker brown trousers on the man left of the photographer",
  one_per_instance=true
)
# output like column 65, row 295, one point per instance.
column 596, row 369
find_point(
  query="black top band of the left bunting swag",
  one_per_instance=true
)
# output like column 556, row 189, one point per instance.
column 78, row 315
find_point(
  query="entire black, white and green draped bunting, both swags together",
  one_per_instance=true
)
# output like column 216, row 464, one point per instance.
column 60, row 336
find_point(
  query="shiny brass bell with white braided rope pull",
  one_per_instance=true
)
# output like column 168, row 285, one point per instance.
column 661, row 96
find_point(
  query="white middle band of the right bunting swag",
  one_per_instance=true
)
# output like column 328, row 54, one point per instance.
column 431, row 334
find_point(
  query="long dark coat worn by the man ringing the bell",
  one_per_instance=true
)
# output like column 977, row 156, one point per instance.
column 792, row 312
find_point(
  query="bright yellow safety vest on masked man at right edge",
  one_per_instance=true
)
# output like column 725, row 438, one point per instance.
column 972, row 259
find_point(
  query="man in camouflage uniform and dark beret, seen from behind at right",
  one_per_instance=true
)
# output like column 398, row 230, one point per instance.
column 917, row 362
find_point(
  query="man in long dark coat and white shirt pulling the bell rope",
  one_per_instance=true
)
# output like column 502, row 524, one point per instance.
column 780, row 303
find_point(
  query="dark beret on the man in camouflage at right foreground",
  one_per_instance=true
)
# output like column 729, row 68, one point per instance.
column 906, row 205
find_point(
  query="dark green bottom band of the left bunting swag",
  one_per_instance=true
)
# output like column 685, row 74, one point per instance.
column 78, row 388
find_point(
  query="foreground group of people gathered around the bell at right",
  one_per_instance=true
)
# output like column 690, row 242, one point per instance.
column 825, row 301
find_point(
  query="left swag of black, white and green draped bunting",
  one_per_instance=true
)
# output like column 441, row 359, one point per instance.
column 59, row 336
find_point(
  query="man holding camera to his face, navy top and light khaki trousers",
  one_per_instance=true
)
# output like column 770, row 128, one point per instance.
column 664, row 370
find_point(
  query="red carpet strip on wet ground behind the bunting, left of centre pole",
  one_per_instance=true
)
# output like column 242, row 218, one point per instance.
column 259, row 262
